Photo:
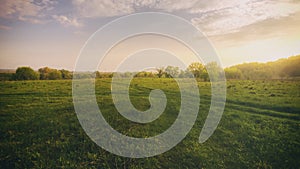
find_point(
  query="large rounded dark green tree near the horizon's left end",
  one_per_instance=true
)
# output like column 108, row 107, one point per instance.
column 26, row 73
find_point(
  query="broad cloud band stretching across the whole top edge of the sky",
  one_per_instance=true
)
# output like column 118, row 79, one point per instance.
column 214, row 17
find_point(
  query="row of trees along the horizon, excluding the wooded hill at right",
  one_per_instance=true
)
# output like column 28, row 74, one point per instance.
column 196, row 69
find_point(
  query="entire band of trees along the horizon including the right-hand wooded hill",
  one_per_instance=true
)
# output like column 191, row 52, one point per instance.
column 280, row 69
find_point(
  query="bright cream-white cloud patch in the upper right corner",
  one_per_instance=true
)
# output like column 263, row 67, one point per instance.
column 231, row 17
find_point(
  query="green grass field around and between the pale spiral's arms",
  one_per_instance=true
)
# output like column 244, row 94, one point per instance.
column 259, row 128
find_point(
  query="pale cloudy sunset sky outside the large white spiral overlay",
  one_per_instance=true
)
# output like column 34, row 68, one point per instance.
column 39, row 33
